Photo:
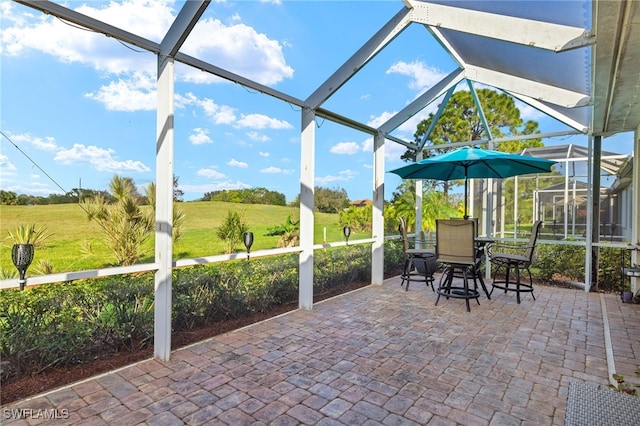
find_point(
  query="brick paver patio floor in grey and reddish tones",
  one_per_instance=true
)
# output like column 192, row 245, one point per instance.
column 378, row 355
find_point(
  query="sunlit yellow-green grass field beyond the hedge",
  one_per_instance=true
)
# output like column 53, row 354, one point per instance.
column 70, row 229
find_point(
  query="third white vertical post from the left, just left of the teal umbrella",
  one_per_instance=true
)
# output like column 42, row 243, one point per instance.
column 377, row 248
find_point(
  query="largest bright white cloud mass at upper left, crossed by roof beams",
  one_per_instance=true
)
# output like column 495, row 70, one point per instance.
column 237, row 47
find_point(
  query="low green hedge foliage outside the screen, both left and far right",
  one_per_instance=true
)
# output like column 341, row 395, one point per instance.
column 76, row 322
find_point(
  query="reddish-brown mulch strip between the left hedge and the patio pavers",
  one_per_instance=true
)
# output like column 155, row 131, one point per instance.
column 27, row 386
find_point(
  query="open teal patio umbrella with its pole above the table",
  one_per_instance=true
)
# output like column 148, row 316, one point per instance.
column 468, row 162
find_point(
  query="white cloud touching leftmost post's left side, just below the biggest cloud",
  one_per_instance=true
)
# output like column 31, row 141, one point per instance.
column 137, row 93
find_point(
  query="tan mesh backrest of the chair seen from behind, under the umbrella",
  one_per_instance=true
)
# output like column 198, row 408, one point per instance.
column 455, row 241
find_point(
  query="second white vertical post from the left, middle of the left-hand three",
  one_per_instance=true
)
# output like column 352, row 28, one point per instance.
column 307, row 182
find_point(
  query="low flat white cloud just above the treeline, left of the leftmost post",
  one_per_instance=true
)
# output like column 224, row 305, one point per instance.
column 101, row 159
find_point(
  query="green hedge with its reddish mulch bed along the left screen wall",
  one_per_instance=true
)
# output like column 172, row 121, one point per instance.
column 58, row 333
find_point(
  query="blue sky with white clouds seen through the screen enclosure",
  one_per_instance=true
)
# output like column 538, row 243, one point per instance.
column 82, row 106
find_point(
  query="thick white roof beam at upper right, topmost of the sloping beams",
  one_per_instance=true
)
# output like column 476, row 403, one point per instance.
column 533, row 33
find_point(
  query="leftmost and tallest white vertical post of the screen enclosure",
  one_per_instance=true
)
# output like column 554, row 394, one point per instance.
column 164, row 209
